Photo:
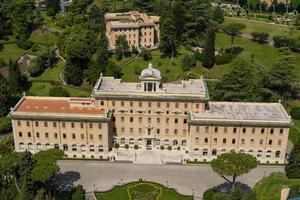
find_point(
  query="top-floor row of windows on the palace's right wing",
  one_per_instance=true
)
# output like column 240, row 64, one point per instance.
column 235, row 129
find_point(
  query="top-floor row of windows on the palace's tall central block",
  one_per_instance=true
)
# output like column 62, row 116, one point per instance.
column 150, row 104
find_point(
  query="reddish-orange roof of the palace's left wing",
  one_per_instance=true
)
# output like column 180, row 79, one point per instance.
column 40, row 105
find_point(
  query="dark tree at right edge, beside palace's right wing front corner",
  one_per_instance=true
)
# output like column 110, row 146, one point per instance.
column 292, row 169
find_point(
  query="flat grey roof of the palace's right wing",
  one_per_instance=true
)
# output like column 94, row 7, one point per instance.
column 243, row 111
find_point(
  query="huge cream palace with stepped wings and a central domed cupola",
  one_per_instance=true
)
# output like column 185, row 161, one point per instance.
column 151, row 115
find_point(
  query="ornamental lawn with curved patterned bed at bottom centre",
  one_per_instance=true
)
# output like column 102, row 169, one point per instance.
column 122, row 192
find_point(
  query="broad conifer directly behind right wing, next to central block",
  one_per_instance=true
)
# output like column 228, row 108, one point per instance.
column 239, row 84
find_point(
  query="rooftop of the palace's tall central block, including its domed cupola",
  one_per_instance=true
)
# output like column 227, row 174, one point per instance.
column 192, row 88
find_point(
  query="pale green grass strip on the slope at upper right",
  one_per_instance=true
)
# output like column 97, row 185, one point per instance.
column 272, row 29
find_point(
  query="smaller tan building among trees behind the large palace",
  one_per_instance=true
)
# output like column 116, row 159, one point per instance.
column 139, row 29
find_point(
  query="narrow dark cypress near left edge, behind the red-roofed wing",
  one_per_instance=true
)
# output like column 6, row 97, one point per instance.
column 15, row 79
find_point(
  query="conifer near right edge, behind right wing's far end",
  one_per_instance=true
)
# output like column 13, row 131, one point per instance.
column 282, row 79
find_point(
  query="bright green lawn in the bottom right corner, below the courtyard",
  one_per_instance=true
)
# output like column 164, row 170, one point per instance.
column 270, row 187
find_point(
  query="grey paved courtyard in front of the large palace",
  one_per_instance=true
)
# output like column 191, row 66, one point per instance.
column 184, row 178
